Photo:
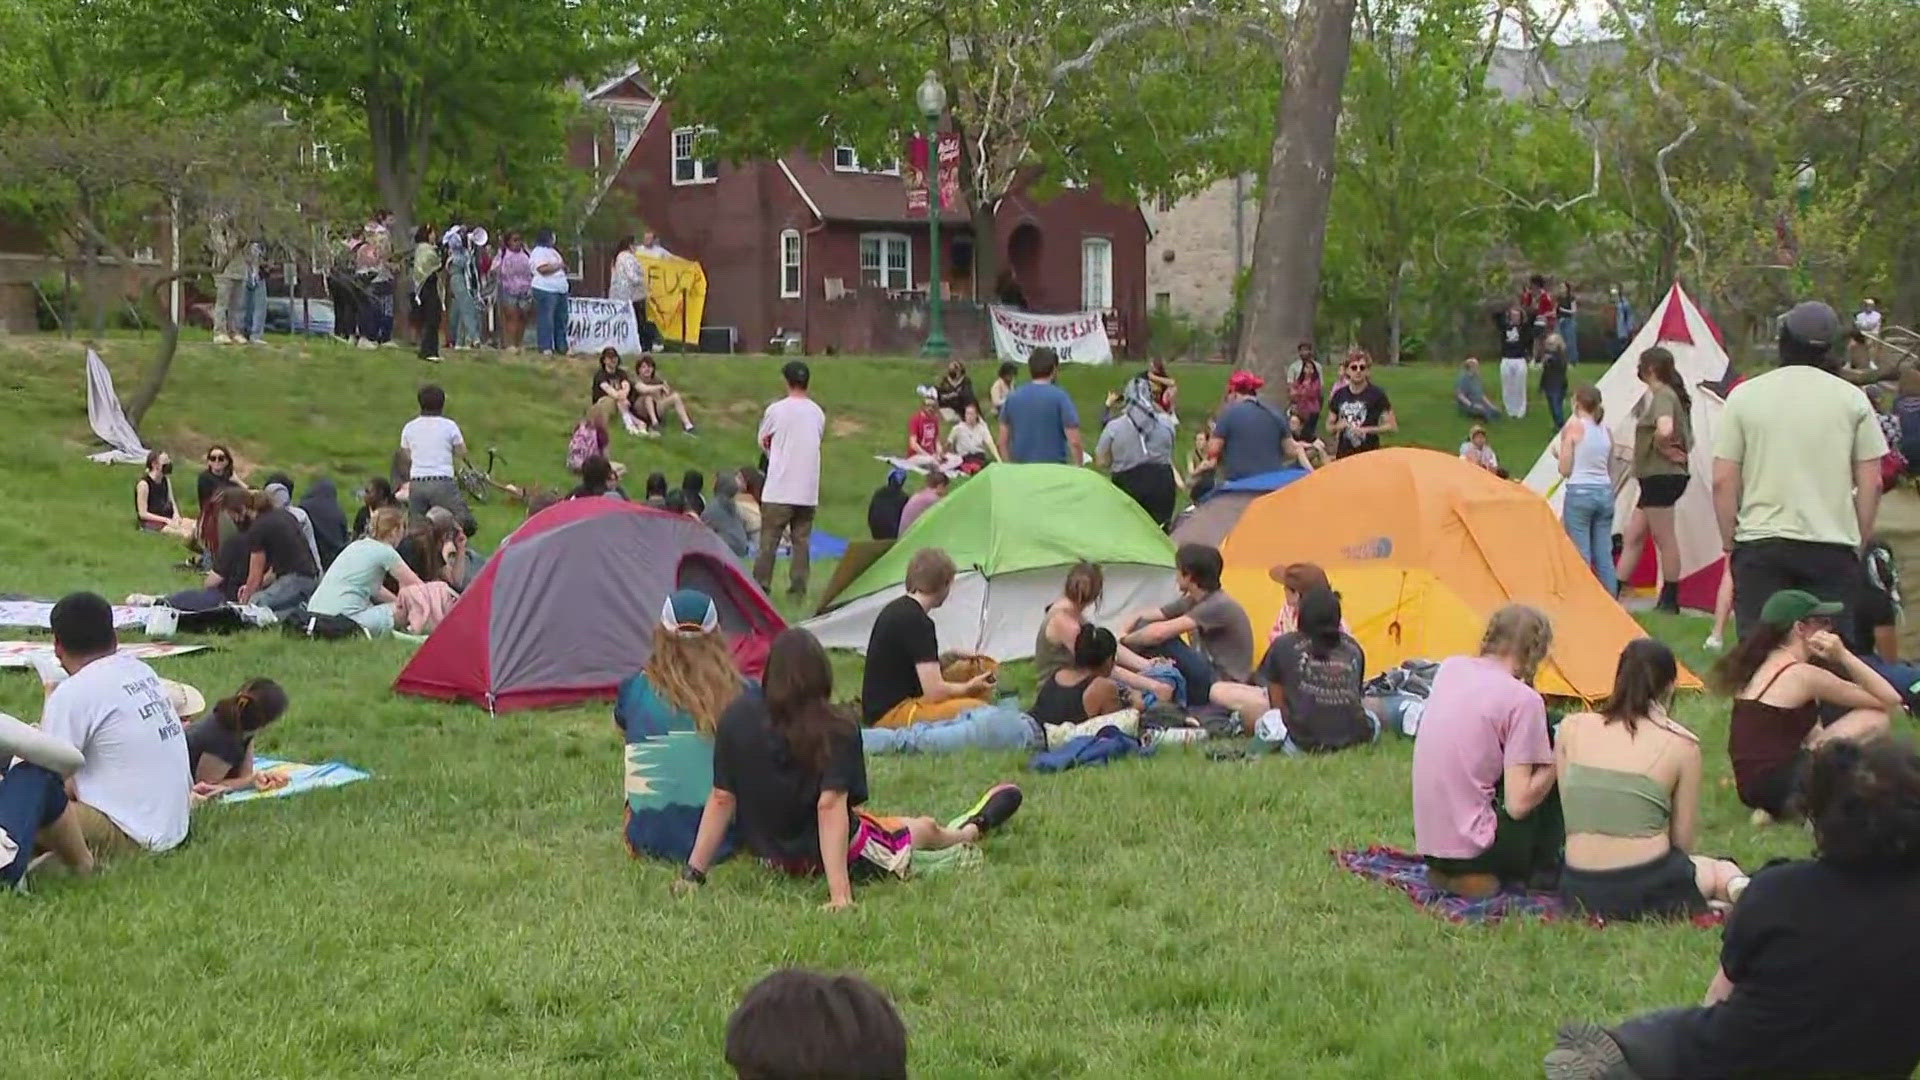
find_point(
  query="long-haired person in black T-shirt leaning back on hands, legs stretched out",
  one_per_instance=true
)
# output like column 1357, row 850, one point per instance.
column 790, row 768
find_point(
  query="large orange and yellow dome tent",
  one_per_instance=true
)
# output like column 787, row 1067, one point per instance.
column 1422, row 549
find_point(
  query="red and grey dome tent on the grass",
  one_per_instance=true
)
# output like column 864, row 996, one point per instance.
column 567, row 608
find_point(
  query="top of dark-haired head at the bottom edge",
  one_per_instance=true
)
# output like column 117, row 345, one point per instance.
column 802, row 1025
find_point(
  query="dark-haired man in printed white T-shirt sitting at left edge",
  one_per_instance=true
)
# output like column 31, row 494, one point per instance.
column 132, row 789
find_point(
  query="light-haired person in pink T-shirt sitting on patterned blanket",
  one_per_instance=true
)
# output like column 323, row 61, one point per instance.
column 1485, row 812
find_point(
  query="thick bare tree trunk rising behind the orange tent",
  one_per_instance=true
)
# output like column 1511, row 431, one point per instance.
column 1291, row 237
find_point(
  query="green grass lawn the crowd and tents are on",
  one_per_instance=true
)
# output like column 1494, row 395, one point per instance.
column 471, row 912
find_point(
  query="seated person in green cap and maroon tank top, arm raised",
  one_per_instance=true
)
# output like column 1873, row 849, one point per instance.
column 1781, row 675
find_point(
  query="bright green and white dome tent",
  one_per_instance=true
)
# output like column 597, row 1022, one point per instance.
column 1015, row 531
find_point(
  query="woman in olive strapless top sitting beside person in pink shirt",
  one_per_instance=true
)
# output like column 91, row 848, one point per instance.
column 1629, row 781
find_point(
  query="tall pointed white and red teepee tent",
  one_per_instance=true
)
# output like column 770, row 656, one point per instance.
column 1683, row 330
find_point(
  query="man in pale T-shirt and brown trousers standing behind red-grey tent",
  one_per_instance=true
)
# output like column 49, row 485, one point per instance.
column 790, row 433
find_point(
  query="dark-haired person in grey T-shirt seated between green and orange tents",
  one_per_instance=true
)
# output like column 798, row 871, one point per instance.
column 1224, row 639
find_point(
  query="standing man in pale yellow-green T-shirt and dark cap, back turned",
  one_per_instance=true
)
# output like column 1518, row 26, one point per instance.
column 1796, row 474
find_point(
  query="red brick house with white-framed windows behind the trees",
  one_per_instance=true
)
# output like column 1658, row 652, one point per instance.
column 823, row 251
